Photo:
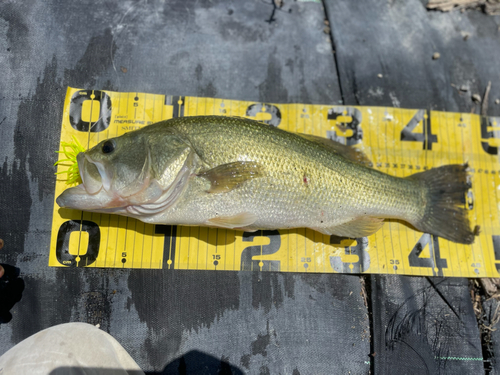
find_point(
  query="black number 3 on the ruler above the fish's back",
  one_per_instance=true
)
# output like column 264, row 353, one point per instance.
column 353, row 125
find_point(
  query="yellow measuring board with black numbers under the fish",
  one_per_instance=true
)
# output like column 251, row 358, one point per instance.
column 399, row 142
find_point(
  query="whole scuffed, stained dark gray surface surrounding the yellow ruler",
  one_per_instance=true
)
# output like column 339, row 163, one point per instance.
column 173, row 321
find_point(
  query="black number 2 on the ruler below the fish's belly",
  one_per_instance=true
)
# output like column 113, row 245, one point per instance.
column 247, row 261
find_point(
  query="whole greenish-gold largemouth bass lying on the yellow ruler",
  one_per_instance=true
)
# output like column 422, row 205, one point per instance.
column 241, row 174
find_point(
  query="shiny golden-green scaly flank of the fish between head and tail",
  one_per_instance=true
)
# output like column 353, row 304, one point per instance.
column 287, row 160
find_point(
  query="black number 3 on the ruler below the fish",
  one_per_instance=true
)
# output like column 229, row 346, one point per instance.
column 363, row 263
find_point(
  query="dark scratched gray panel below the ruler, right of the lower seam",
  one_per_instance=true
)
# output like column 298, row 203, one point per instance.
column 429, row 323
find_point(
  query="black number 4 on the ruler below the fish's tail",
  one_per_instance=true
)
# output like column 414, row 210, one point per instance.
column 434, row 261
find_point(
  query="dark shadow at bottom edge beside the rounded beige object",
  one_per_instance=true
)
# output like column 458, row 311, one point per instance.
column 193, row 362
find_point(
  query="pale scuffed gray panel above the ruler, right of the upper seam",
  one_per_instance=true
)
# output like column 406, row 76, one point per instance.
column 397, row 39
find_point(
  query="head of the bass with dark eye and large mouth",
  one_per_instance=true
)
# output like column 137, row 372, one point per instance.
column 121, row 173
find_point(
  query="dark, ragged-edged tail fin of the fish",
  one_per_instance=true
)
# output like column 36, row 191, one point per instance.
column 444, row 214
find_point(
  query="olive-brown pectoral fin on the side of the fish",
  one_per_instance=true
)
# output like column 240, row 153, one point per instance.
column 227, row 177
